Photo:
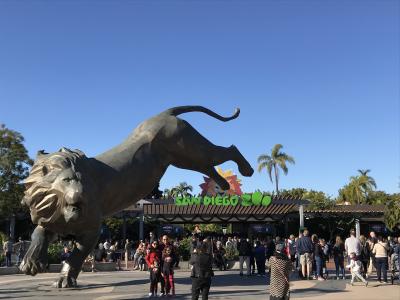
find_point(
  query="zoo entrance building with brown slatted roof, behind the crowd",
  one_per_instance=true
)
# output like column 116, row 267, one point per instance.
column 283, row 216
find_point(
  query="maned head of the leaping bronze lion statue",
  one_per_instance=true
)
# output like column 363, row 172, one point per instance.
column 54, row 187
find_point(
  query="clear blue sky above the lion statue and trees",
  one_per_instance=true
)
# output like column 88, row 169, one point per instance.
column 320, row 77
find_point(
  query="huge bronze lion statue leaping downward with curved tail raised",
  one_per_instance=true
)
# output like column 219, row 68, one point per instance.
column 69, row 194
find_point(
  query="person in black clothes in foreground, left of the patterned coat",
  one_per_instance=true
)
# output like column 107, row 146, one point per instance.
column 202, row 272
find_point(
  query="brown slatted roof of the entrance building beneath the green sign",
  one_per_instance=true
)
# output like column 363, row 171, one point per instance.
column 167, row 210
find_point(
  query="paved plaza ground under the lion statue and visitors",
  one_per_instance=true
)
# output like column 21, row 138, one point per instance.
column 226, row 285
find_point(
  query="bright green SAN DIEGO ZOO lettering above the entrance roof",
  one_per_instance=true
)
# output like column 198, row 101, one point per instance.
column 255, row 199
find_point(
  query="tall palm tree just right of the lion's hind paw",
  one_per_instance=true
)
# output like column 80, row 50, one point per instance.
column 276, row 160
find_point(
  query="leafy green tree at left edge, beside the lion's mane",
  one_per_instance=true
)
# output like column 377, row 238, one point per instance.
column 14, row 166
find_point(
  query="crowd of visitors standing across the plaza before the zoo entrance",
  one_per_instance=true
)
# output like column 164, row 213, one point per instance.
column 305, row 255
